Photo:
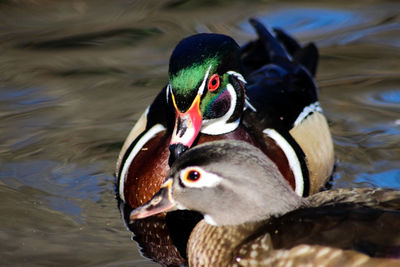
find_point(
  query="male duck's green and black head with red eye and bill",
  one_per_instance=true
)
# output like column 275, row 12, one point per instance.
column 206, row 88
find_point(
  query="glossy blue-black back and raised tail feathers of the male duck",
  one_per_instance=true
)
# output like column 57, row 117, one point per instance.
column 280, row 80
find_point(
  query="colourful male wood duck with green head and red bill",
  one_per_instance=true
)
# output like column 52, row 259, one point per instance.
column 263, row 94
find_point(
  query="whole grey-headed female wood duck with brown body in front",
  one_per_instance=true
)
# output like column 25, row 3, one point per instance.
column 253, row 217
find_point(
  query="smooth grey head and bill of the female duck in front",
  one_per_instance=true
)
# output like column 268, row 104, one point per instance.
column 229, row 182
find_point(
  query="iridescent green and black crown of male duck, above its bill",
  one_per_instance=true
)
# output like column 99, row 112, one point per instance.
column 193, row 57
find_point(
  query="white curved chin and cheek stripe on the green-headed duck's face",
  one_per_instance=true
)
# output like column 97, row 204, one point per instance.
column 220, row 125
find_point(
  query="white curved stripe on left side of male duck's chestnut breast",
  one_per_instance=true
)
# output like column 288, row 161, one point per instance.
column 139, row 145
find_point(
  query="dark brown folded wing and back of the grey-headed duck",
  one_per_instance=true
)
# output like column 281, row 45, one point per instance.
column 365, row 220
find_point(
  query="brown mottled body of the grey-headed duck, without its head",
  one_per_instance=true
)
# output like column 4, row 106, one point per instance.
column 335, row 232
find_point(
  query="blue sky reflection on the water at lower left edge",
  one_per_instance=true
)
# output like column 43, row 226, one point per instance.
column 61, row 186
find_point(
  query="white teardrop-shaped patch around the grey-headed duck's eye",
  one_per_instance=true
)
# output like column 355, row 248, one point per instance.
column 206, row 179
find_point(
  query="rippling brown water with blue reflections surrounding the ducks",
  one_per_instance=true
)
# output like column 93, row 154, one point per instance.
column 75, row 76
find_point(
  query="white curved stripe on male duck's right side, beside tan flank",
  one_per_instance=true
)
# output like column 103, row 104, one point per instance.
column 294, row 162
